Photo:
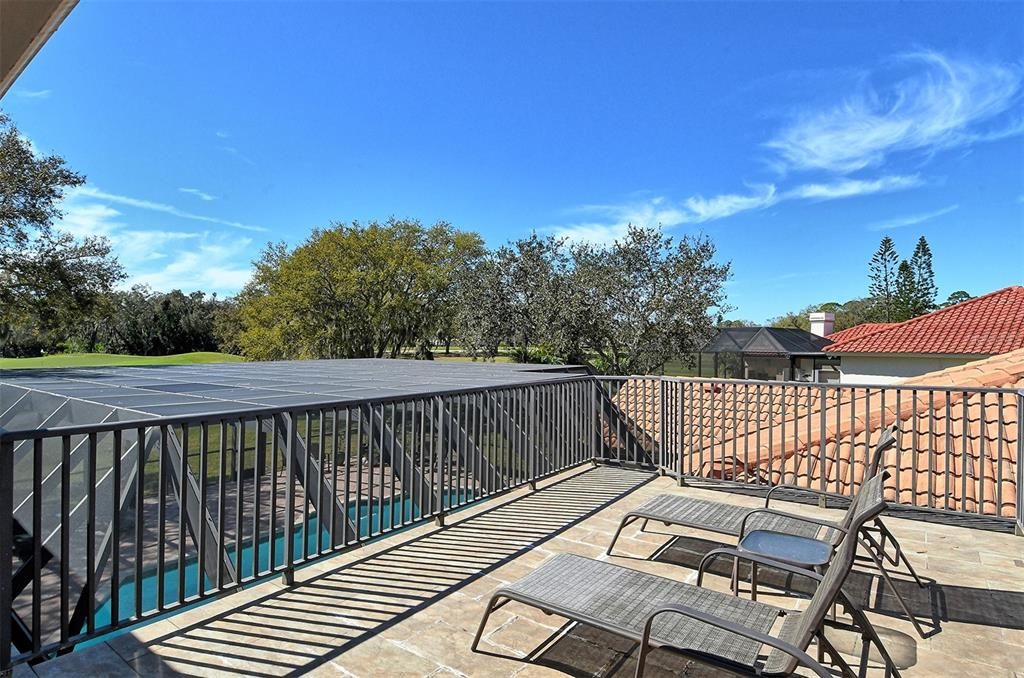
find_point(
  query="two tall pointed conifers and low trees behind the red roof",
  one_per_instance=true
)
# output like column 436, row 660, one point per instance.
column 898, row 291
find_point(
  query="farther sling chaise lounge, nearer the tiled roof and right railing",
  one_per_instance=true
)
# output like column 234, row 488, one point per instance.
column 880, row 544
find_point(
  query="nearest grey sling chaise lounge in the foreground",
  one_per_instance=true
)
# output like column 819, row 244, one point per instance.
column 715, row 627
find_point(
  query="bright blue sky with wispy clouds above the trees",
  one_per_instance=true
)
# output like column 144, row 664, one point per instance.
column 795, row 136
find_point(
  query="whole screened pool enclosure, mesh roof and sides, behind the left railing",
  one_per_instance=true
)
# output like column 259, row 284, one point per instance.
column 248, row 465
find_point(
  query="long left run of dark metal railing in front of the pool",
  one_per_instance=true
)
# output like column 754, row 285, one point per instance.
column 116, row 523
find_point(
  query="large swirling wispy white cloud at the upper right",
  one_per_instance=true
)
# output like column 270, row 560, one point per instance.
column 924, row 102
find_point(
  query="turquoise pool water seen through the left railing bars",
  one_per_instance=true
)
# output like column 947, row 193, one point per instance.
column 371, row 519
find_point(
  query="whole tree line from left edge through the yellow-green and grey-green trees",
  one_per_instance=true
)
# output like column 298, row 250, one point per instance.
column 357, row 290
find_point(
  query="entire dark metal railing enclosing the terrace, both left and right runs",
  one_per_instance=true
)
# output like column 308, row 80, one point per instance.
column 113, row 524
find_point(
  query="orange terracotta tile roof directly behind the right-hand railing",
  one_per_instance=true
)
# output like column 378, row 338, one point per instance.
column 772, row 433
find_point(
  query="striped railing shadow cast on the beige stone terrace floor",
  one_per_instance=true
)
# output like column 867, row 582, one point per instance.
column 295, row 630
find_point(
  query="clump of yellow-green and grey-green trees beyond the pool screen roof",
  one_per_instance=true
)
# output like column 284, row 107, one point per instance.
column 379, row 290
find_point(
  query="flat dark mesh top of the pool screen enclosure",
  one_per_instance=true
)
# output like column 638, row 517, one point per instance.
column 36, row 399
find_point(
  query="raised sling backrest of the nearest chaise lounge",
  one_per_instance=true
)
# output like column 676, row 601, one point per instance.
column 871, row 502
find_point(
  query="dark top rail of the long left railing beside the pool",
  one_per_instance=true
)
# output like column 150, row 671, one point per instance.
column 269, row 411
